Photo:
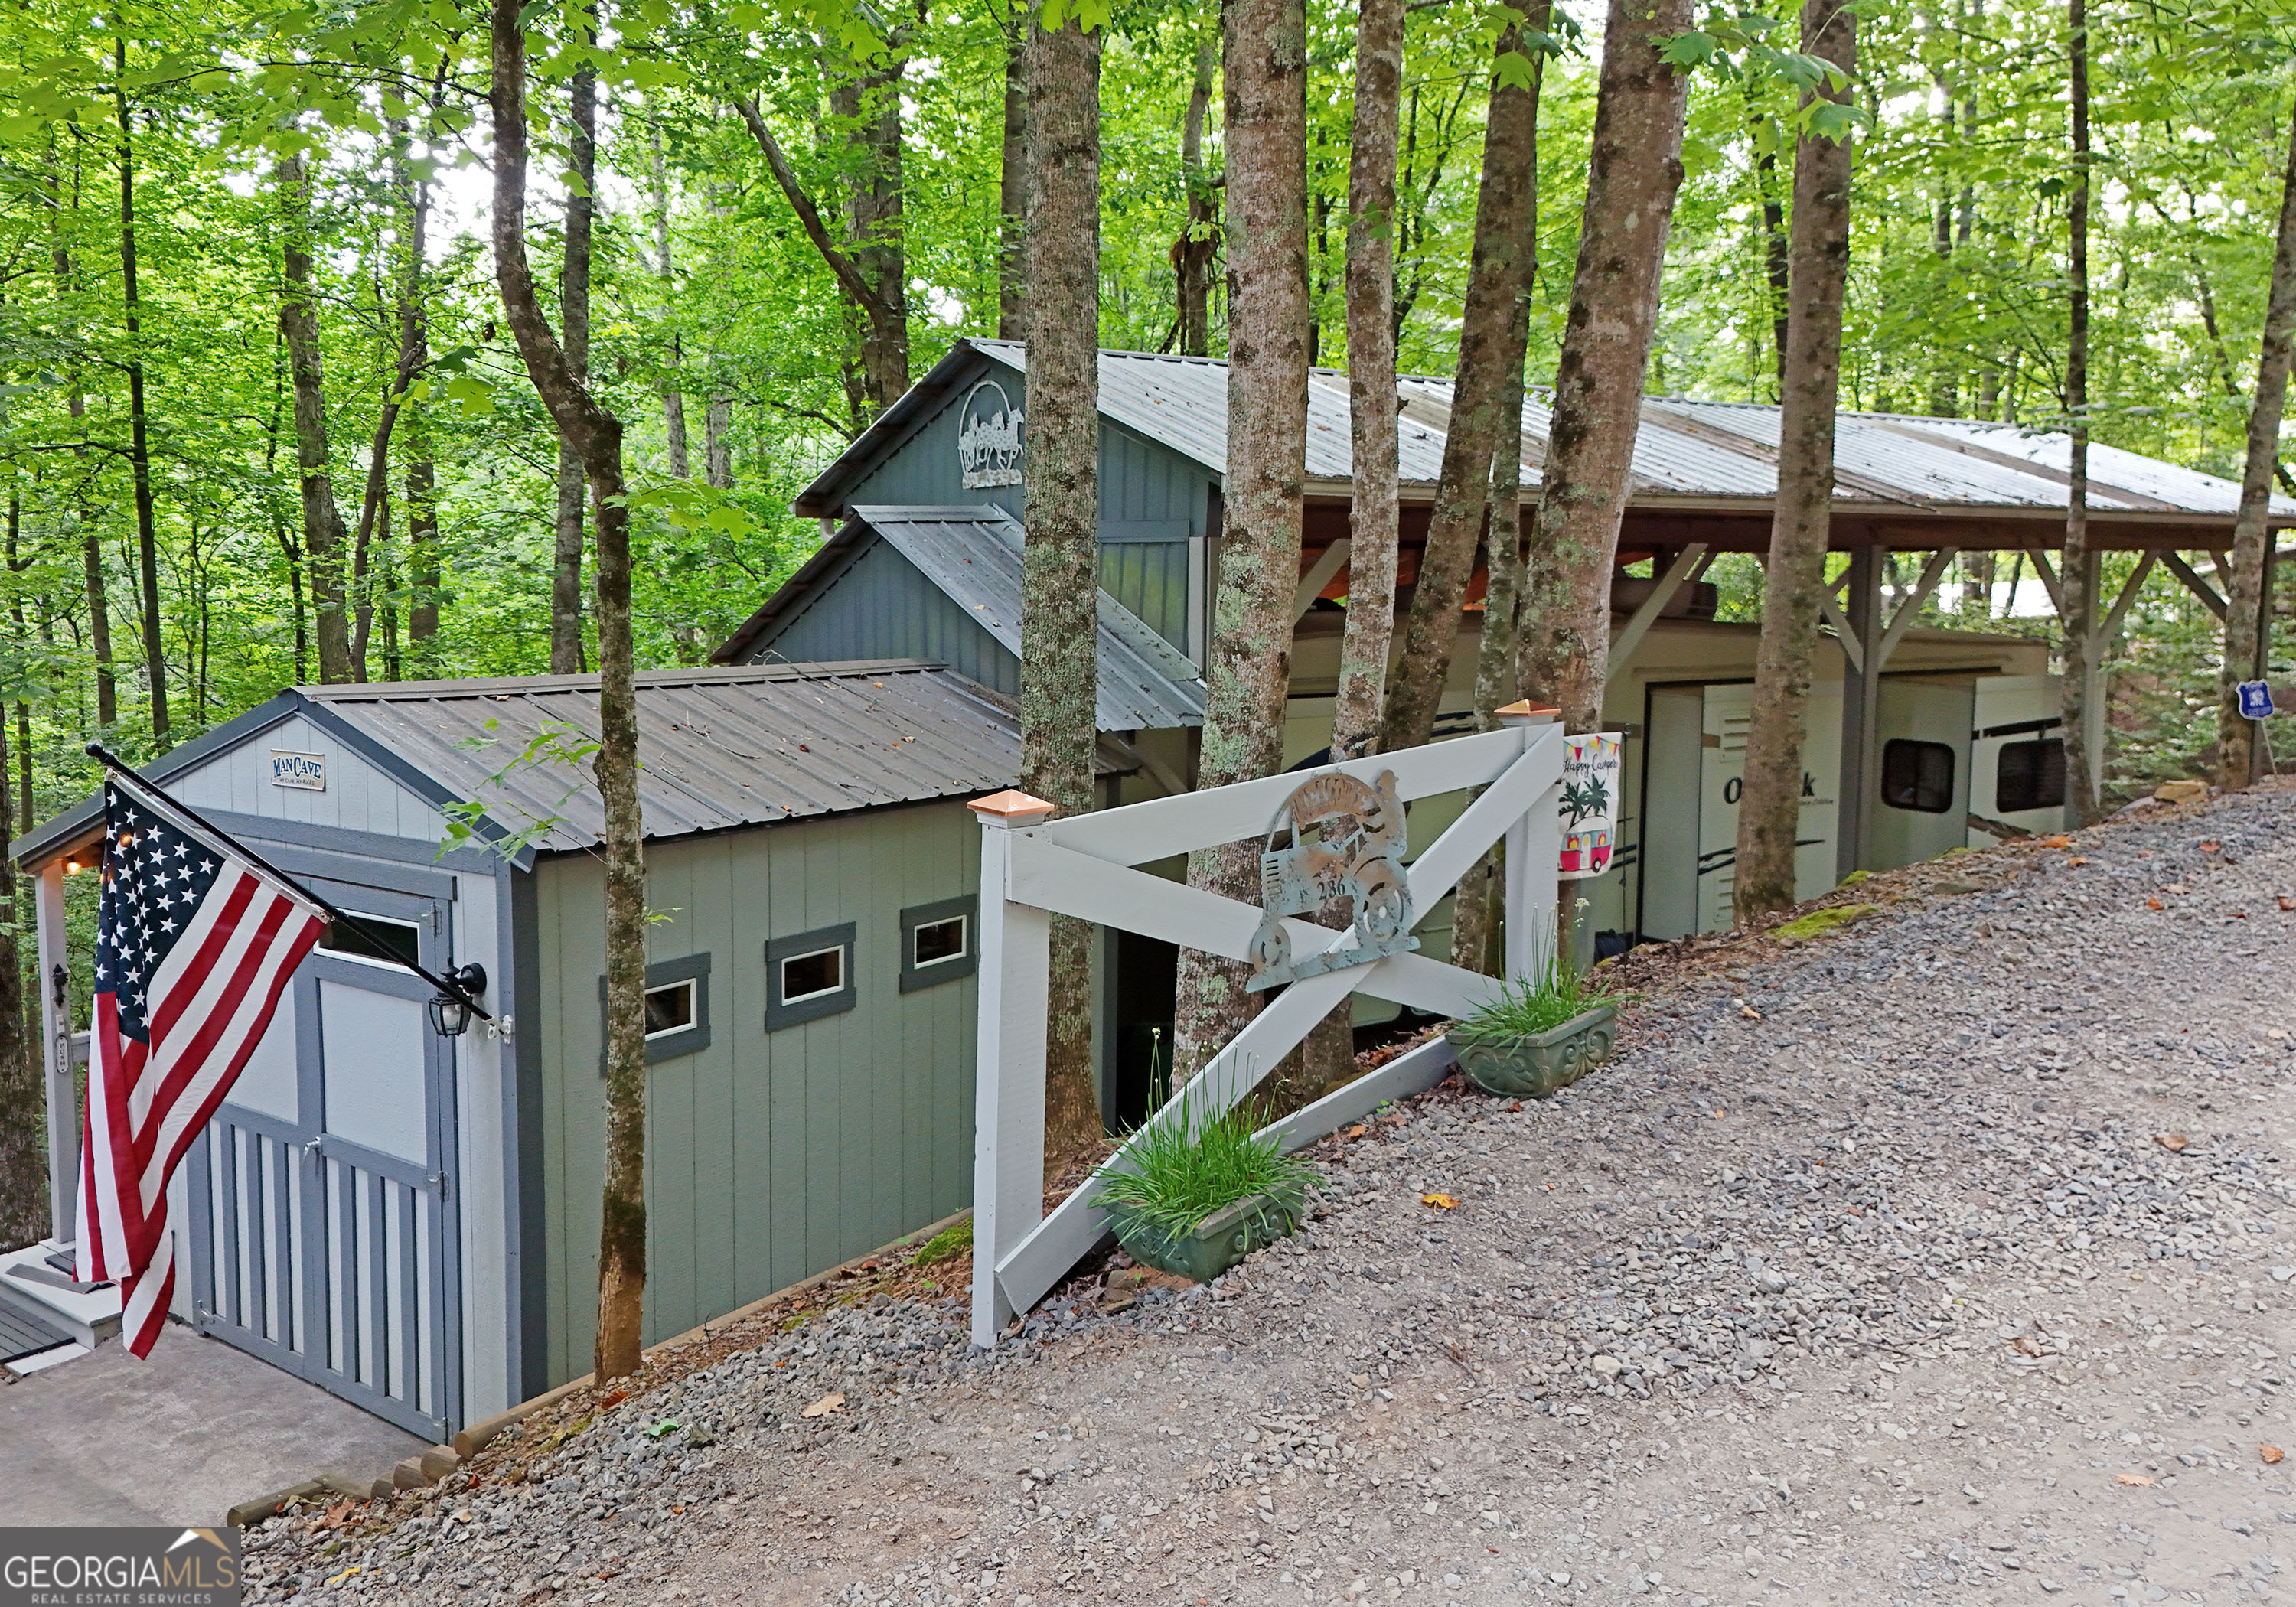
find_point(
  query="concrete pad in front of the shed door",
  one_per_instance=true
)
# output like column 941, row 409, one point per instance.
column 176, row 1441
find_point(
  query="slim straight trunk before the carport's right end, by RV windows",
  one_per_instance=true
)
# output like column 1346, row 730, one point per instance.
column 2079, row 564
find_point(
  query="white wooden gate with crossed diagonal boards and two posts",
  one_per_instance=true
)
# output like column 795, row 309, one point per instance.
column 1034, row 869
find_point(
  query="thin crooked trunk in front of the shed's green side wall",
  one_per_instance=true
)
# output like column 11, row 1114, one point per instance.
column 598, row 435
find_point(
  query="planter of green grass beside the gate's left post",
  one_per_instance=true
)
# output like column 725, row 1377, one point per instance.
column 1195, row 1197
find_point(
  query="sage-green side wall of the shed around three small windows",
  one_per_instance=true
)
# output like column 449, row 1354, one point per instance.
column 770, row 1156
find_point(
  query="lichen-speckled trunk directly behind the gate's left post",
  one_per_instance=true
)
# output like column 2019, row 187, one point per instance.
column 1062, row 559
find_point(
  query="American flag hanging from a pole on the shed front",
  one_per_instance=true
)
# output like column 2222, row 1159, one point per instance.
column 194, row 949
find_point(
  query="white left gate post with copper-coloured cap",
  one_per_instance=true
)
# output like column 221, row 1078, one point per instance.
column 1009, row 1096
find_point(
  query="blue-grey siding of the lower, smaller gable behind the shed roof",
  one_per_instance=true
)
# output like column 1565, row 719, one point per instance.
column 885, row 610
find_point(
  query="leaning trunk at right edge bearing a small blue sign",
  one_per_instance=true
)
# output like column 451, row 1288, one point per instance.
column 2247, row 621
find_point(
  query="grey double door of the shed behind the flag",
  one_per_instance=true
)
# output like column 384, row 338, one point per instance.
column 323, row 1195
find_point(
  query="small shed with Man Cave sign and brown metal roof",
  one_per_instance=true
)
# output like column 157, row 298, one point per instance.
column 412, row 1220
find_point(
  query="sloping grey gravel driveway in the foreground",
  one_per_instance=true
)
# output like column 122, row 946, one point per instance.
column 1946, row 1257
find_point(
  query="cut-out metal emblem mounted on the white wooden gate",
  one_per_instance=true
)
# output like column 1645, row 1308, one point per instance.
column 1335, row 839
